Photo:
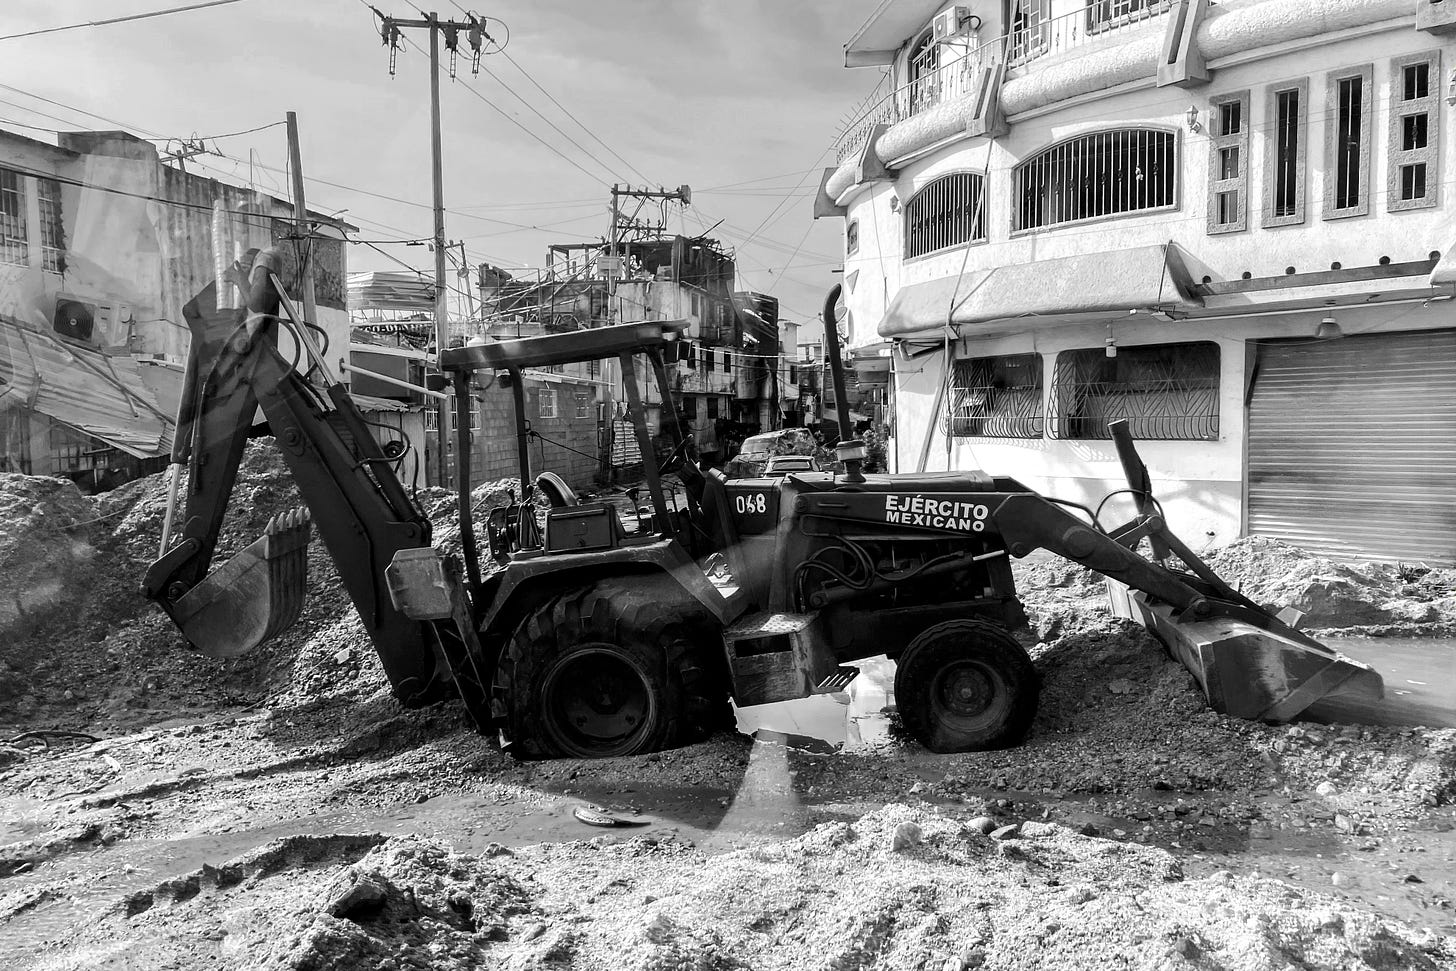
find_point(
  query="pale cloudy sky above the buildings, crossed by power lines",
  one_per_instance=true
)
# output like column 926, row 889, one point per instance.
column 740, row 101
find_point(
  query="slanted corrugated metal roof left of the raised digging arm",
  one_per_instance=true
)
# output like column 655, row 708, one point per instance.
column 98, row 395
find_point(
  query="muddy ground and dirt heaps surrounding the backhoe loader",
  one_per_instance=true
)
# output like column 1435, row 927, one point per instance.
column 282, row 812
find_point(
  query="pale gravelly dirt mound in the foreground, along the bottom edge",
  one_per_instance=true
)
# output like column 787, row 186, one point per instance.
column 898, row 889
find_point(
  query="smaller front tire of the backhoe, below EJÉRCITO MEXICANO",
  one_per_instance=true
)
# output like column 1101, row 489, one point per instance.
column 966, row 686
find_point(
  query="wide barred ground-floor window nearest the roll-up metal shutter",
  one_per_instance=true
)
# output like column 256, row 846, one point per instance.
column 1166, row 392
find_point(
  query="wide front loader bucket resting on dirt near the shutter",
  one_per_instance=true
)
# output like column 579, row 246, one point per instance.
column 1251, row 672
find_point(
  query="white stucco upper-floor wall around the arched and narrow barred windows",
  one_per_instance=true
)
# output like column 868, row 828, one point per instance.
column 1260, row 253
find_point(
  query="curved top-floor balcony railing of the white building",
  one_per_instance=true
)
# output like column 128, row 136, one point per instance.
column 1037, row 36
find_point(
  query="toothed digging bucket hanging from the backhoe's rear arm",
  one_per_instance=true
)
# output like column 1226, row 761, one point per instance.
column 254, row 596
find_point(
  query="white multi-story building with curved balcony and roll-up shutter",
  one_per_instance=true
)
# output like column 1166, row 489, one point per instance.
column 1227, row 223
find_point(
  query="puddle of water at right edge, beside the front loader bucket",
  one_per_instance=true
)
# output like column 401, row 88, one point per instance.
column 1420, row 683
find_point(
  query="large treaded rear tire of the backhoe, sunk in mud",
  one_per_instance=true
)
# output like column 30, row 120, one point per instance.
column 620, row 667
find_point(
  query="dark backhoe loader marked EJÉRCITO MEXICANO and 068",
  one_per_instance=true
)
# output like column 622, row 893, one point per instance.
column 592, row 635
